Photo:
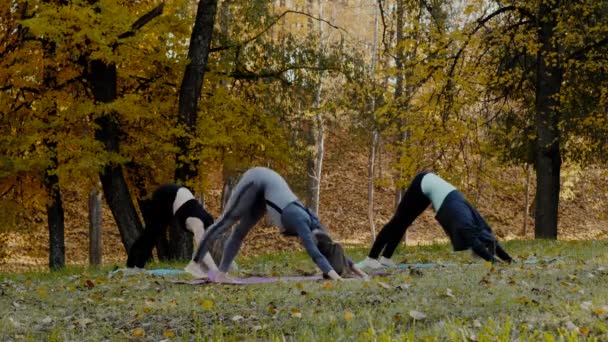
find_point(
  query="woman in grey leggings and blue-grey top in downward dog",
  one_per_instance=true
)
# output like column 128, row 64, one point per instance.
column 260, row 190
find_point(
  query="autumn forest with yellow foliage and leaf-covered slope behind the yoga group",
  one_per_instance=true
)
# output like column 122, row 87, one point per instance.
column 101, row 101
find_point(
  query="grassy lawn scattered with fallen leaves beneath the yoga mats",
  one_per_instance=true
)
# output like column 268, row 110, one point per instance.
column 564, row 300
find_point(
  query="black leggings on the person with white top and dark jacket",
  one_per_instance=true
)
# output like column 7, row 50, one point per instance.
column 413, row 203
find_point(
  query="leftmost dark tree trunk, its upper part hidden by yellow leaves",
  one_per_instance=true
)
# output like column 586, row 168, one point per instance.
column 54, row 211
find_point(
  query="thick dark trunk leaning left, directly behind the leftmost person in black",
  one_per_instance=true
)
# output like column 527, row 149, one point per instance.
column 102, row 79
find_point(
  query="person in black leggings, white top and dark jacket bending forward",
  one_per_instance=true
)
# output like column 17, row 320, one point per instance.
column 463, row 224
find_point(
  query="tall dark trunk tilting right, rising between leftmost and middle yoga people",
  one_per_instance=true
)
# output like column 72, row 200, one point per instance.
column 190, row 92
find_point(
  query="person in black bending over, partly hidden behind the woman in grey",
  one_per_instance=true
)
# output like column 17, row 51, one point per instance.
column 169, row 202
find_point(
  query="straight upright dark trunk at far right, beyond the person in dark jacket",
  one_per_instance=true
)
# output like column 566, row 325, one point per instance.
column 548, row 155
